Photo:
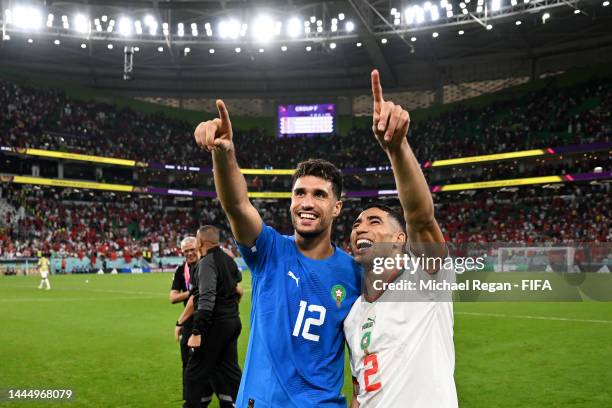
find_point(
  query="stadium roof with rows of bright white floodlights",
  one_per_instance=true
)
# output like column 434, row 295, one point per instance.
column 447, row 46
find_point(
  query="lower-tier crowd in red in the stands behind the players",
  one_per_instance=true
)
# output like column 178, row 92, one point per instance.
column 76, row 223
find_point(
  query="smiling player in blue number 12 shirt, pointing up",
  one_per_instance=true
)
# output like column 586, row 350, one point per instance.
column 303, row 285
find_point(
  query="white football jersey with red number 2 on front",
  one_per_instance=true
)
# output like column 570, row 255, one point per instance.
column 401, row 349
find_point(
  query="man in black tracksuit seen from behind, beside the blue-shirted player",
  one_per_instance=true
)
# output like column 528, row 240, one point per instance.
column 216, row 325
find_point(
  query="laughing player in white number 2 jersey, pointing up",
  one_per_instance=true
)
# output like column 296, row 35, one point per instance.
column 401, row 343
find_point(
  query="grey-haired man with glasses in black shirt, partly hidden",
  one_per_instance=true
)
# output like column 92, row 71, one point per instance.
column 180, row 292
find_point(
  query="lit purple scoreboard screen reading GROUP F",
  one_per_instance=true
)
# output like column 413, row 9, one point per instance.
column 306, row 120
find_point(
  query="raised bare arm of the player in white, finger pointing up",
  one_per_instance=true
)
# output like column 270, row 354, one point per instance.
column 390, row 126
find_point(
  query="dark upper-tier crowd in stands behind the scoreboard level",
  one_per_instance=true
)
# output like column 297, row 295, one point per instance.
column 552, row 116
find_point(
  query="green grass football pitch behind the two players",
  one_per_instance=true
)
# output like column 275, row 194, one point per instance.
column 110, row 339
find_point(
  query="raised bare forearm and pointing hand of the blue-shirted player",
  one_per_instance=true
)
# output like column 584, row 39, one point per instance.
column 217, row 137
